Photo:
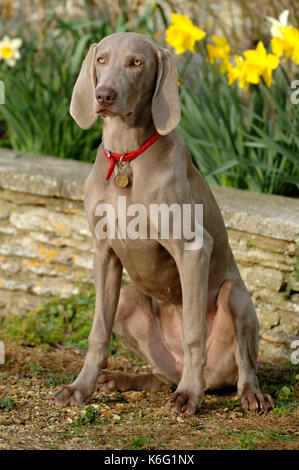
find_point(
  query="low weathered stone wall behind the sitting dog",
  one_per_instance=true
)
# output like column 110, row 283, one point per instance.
column 46, row 248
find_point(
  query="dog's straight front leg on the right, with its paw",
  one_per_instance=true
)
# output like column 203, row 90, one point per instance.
column 193, row 267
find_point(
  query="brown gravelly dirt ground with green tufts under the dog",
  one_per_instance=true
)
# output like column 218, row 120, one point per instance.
column 130, row 420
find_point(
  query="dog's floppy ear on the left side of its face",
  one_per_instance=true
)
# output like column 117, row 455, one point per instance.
column 82, row 102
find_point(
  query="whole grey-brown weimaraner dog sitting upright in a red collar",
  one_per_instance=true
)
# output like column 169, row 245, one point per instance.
column 188, row 313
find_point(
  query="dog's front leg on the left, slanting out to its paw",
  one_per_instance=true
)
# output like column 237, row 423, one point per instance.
column 107, row 273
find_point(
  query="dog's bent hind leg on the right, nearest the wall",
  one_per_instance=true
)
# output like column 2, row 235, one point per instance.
column 233, row 347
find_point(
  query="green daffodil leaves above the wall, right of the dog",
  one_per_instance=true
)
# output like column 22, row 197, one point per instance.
column 251, row 145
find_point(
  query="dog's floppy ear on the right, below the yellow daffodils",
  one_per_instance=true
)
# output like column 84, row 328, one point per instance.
column 166, row 110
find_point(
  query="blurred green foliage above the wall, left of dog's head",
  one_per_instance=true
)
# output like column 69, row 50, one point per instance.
column 38, row 93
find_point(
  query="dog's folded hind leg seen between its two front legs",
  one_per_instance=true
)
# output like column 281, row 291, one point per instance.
column 138, row 325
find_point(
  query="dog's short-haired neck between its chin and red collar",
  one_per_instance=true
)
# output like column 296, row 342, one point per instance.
column 126, row 133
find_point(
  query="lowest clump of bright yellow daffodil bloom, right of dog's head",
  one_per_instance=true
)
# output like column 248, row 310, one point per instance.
column 255, row 64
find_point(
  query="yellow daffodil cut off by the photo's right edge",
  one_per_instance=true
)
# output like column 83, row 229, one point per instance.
column 288, row 44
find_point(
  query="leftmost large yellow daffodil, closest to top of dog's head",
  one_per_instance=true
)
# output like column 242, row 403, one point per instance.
column 182, row 33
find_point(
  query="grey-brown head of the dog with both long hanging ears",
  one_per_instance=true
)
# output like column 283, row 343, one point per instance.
column 120, row 75
